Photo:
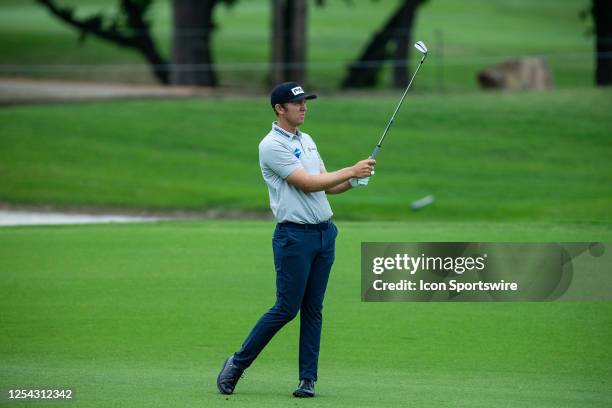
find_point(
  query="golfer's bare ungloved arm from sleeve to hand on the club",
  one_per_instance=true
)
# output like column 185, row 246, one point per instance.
column 310, row 183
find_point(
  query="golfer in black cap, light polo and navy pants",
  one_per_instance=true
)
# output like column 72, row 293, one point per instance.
column 304, row 238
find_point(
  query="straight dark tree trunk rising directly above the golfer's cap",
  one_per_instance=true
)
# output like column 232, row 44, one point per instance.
column 289, row 19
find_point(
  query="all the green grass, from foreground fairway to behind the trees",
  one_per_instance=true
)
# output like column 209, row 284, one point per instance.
column 143, row 315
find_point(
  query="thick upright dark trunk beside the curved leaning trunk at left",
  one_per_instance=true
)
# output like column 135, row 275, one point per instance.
column 192, row 62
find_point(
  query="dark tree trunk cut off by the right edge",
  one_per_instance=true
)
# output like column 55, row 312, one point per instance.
column 602, row 16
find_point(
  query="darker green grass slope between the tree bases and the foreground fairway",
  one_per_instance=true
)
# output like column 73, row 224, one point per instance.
column 516, row 156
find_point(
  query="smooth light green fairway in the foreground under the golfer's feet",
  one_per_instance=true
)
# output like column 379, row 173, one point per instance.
column 143, row 315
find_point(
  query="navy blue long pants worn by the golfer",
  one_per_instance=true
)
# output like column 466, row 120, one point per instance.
column 303, row 257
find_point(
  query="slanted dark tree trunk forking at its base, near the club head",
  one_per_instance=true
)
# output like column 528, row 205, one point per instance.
column 364, row 72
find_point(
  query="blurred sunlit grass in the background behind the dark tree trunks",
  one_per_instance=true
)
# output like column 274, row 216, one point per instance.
column 463, row 37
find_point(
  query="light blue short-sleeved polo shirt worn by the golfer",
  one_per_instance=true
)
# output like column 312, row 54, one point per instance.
column 280, row 154
